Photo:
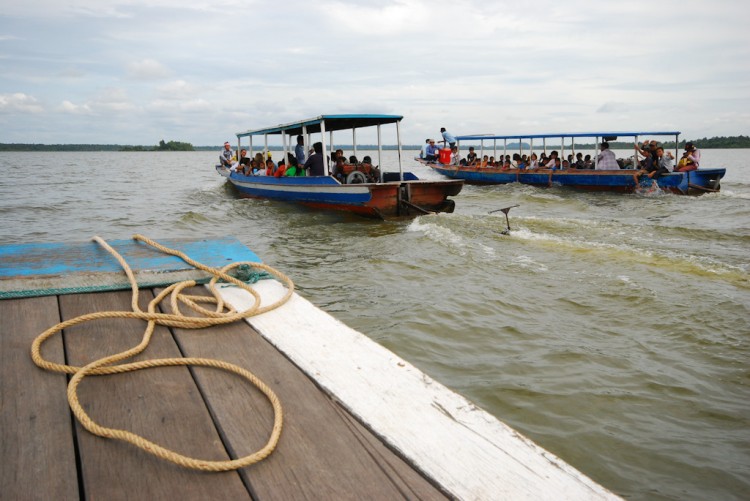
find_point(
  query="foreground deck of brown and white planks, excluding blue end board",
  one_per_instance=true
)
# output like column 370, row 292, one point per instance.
column 354, row 428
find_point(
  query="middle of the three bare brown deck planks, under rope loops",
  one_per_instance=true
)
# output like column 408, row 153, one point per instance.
column 161, row 404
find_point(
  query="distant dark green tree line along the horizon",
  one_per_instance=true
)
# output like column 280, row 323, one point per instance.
column 705, row 143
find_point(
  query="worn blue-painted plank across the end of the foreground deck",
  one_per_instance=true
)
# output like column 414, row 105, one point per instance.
column 60, row 268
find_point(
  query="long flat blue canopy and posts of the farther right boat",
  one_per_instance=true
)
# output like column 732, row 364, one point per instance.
column 607, row 136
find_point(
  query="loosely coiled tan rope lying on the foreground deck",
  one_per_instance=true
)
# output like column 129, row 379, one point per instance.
column 107, row 365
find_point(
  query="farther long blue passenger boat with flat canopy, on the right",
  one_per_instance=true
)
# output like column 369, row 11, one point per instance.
column 622, row 180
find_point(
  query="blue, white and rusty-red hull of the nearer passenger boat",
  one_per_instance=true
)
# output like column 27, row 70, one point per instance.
column 386, row 200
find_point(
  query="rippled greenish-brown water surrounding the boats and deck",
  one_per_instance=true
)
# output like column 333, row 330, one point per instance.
column 610, row 329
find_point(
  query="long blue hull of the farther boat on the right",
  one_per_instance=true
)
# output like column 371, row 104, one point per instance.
column 684, row 183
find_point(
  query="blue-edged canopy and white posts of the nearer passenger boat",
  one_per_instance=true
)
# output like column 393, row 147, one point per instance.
column 329, row 123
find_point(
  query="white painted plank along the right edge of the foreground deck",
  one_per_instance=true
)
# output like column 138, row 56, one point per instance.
column 461, row 447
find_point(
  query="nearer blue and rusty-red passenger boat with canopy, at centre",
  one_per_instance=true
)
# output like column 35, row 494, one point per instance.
column 363, row 189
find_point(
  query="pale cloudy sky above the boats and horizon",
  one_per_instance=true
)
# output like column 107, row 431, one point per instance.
column 137, row 72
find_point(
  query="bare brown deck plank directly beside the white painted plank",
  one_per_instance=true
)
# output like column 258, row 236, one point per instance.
column 322, row 453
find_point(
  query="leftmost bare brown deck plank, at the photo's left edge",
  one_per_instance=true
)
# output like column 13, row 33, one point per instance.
column 37, row 458
